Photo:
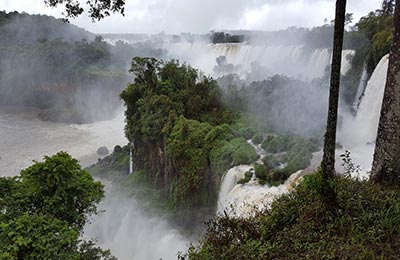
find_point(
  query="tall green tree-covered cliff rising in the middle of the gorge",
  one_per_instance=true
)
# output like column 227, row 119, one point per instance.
column 174, row 121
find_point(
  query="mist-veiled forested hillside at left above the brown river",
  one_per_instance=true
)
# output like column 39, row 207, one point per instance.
column 71, row 75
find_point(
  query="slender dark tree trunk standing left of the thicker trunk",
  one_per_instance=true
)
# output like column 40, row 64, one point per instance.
column 328, row 161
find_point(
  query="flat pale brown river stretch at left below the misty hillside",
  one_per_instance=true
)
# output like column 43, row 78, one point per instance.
column 24, row 138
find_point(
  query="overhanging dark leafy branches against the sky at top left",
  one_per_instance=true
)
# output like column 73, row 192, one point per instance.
column 98, row 9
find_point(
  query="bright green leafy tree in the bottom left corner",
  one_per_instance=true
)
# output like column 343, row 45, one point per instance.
column 44, row 209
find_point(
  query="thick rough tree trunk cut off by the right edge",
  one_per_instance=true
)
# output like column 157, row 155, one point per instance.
column 386, row 164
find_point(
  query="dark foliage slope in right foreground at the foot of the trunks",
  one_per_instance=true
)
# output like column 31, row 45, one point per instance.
column 365, row 224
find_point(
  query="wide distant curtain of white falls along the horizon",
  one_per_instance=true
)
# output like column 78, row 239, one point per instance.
column 277, row 59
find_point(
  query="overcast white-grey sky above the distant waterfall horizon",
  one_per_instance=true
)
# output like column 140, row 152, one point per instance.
column 201, row 16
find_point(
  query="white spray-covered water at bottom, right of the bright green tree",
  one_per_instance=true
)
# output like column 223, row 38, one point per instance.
column 133, row 234
